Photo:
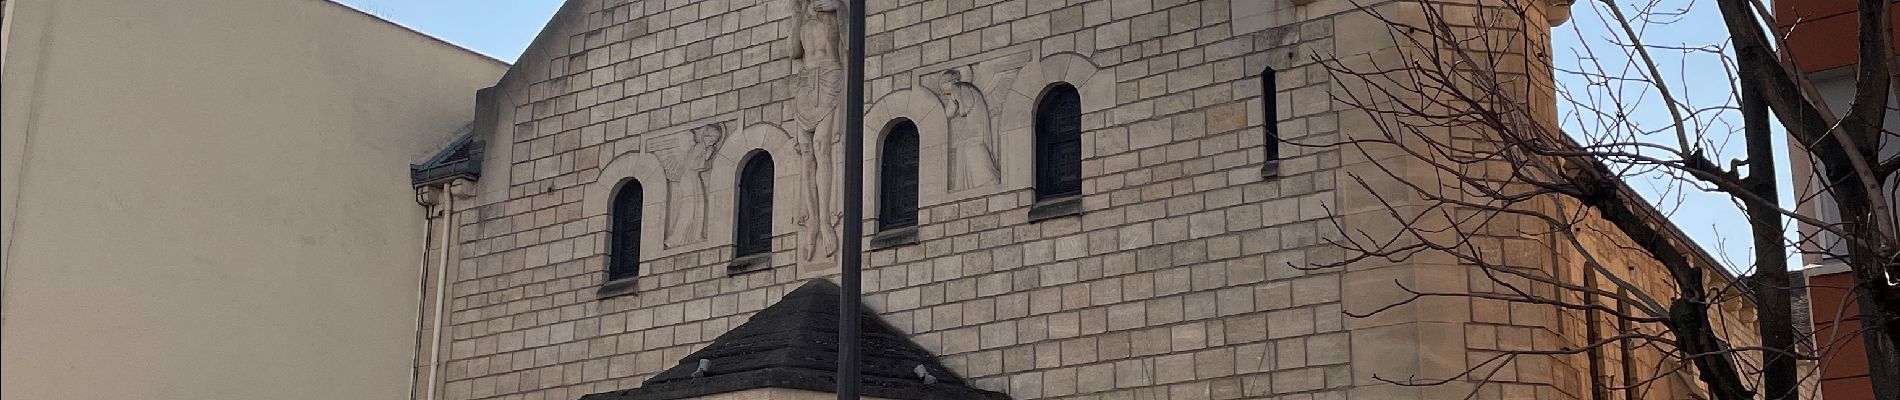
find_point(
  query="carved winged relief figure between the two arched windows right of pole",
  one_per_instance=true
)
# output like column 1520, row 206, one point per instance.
column 974, row 143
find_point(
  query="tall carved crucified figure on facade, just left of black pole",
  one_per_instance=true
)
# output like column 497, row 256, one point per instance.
column 818, row 122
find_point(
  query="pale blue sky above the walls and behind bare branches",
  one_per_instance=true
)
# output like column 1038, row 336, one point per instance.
column 503, row 29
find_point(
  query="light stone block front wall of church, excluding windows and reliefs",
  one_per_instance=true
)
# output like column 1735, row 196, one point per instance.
column 1177, row 282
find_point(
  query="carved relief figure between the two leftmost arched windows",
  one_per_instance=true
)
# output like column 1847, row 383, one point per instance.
column 687, row 187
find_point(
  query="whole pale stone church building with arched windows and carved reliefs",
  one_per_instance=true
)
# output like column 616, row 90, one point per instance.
column 1093, row 200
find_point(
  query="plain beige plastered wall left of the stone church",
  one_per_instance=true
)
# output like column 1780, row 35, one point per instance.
column 210, row 200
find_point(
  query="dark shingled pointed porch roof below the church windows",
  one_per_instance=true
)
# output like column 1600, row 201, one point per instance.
column 795, row 346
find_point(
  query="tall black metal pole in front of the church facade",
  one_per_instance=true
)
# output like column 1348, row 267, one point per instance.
column 854, row 204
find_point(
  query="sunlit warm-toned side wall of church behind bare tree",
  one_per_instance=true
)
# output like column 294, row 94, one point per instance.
column 1506, row 327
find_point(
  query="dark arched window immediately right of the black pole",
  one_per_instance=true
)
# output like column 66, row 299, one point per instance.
column 898, row 179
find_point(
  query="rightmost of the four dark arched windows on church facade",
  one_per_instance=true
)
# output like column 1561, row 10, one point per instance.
column 1059, row 143
